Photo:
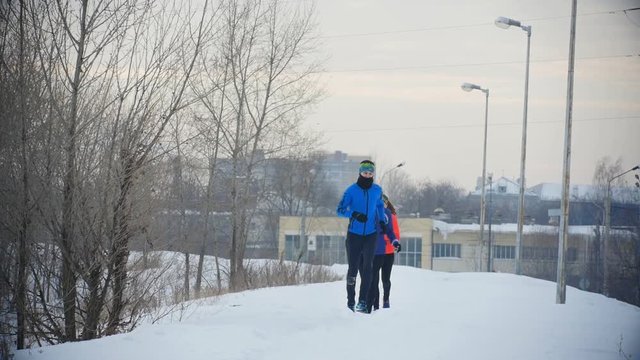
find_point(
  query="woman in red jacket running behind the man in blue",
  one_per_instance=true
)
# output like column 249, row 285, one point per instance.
column 387, row 243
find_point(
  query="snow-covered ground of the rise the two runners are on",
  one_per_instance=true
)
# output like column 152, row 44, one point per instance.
column 434, row 315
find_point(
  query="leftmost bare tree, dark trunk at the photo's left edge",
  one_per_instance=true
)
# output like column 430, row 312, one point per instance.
column 19, row 84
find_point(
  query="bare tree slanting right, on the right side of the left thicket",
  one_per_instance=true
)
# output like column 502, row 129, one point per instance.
column 145, row 126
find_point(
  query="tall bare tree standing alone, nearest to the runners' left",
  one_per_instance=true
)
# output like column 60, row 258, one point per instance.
column 266, row 83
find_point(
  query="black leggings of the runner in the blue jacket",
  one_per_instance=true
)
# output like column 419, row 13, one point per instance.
column 360, row 251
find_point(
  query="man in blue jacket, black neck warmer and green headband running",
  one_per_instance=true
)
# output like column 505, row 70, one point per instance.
column 362, row 204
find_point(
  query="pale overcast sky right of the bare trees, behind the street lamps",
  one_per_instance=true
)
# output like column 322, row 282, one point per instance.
column 394, row 72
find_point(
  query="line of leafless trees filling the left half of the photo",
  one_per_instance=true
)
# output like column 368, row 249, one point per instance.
column 109, row 109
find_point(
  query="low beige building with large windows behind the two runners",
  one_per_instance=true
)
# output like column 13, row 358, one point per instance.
column 436, row 245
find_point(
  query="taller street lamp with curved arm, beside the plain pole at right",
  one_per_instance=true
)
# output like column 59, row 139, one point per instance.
column 504, row 23
